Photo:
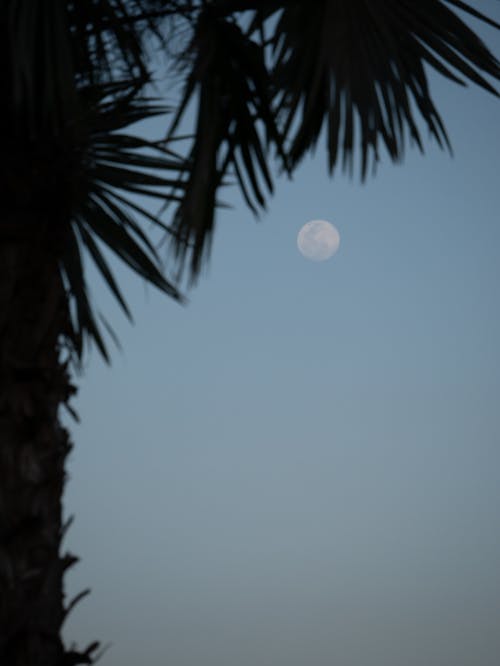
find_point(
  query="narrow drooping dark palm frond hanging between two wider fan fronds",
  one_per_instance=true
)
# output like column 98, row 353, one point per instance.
column 234, row 95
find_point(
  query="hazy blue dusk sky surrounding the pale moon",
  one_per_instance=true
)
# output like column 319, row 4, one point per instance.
column 302, row 465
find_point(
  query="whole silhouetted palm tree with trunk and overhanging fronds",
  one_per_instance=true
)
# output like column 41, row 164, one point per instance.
column 266, row 77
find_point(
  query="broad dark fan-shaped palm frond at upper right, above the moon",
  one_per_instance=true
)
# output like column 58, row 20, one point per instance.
column 359, row 67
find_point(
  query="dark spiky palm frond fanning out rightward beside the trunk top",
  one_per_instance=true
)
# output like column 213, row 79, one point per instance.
column 115, row 166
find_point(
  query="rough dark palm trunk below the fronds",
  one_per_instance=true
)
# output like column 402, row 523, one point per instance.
column 34, row 384
